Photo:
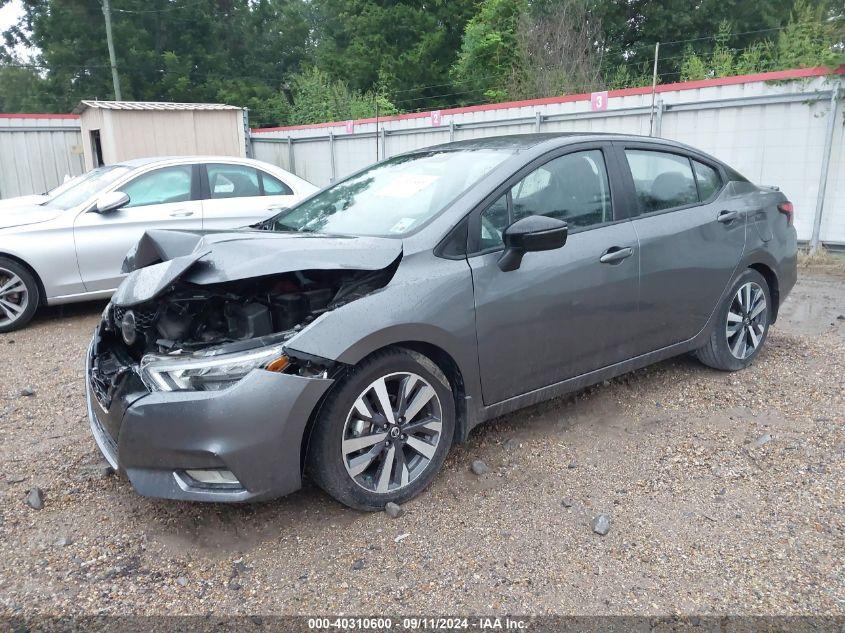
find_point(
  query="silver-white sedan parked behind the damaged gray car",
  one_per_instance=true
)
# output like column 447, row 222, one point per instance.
column 71, row 246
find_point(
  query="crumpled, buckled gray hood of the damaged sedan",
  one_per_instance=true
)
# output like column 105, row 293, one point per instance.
column 209, row 257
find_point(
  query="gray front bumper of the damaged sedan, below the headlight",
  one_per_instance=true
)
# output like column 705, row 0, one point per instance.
column 253, row 429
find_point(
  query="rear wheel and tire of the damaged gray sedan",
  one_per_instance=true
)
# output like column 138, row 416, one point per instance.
column 732, row 352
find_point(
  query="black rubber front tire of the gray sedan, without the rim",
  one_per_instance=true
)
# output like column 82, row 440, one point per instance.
column 325, row 458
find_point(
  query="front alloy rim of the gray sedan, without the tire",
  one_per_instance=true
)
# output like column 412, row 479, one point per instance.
column 392, row 432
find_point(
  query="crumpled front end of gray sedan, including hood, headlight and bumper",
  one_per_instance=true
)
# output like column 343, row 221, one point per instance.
column 191, row 388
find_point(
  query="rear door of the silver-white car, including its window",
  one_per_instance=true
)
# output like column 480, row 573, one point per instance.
column 237, row 195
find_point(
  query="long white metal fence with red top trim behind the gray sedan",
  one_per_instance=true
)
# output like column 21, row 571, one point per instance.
column 775, row 128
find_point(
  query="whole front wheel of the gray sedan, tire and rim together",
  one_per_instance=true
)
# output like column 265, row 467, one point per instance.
column 351, row 416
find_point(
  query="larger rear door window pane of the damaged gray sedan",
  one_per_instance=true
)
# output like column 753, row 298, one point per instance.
column 661, row 180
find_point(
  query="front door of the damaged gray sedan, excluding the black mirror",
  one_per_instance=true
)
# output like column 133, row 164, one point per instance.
column 564, row 312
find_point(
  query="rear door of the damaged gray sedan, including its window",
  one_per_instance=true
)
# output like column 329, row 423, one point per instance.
column 691, row 233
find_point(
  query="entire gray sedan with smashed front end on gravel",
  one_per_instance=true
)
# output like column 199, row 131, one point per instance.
column 357, row 336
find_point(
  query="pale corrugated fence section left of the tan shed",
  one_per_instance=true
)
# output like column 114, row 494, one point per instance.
column 37, row 152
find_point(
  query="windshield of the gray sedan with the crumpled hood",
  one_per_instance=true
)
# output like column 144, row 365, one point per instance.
column 393, row 198
